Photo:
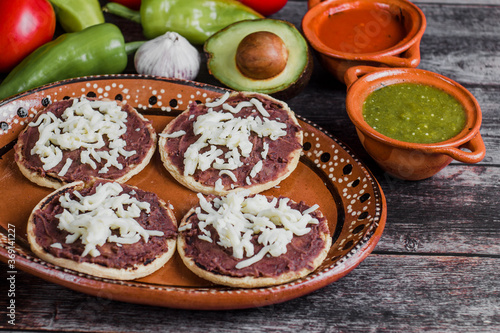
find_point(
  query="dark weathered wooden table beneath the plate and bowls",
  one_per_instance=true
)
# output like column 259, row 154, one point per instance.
column 436, row 267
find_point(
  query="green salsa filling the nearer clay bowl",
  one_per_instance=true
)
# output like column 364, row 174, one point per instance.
column 415, row 113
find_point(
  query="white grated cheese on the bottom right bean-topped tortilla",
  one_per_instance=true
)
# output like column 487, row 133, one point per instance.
column 237, row 217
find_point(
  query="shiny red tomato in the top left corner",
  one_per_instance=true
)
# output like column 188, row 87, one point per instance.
column 24, row 26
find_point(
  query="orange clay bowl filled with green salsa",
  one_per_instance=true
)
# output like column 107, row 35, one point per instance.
column 413, row 122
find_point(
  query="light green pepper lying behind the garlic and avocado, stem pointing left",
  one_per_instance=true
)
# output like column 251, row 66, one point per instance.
column 196, row 20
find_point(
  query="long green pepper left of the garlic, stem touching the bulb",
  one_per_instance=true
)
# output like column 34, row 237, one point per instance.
column 99, row 49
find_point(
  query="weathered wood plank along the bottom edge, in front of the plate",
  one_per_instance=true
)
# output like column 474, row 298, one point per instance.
column 387, row 293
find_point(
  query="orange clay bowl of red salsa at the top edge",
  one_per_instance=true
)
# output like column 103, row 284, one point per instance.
column 348, row 33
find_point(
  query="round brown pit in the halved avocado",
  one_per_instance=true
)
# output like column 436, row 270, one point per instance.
column 261, row 55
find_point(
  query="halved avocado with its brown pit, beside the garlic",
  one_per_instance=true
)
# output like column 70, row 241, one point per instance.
column 230, row 63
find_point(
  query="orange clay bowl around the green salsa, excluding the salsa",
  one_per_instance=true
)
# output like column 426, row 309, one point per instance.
column 413, row 161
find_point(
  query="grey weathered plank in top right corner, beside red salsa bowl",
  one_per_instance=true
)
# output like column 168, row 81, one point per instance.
column 462, row 42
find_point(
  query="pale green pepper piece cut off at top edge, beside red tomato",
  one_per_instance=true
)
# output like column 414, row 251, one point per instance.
column 76, row 15
